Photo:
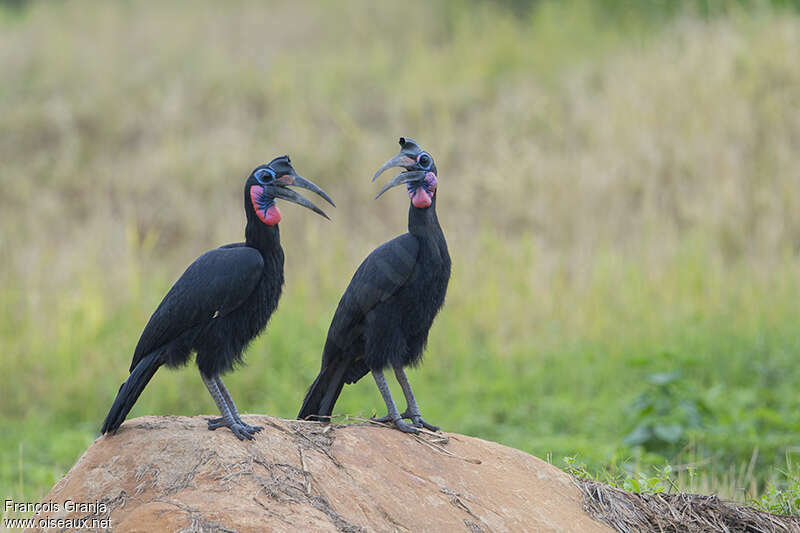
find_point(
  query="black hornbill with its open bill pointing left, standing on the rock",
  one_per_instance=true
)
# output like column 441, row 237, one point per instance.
column 386, row 312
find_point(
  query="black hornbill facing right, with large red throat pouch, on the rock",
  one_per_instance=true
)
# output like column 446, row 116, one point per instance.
column 222, row 301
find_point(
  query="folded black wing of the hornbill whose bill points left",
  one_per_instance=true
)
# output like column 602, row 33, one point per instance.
column 382, row 273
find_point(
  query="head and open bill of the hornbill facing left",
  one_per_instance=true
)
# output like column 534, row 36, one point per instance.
column 420, row 176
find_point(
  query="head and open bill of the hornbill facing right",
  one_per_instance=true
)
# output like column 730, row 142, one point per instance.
column 271, row 181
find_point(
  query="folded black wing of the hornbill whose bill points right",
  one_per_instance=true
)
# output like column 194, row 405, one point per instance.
column 217, row 282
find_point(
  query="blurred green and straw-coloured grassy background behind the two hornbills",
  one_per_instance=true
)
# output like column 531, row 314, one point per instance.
column 619, row 188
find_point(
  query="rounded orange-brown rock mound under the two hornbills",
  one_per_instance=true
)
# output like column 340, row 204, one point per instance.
column 172, row 474
